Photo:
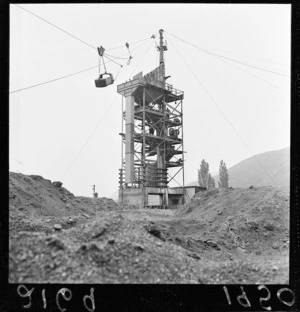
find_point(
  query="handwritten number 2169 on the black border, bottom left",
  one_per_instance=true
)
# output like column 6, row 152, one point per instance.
column 63, row 294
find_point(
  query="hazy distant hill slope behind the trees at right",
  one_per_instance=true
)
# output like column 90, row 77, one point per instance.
column 266, row 169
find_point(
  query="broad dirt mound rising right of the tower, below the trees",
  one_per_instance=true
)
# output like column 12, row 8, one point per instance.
column 254, row 220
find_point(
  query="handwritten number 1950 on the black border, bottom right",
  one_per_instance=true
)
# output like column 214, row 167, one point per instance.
column 244, row 301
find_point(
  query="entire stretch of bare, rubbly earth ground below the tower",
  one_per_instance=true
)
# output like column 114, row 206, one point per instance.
column 221, row 236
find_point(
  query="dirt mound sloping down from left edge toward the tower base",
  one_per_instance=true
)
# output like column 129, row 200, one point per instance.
column 36, row 195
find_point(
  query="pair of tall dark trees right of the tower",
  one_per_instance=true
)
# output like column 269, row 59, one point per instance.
column 206, row 180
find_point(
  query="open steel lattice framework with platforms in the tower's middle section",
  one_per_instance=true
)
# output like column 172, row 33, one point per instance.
column 158, row 135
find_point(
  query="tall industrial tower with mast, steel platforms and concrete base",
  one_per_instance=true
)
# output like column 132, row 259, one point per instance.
column 153, row 138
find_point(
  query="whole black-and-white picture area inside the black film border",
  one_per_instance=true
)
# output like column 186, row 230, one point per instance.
column 149, row 143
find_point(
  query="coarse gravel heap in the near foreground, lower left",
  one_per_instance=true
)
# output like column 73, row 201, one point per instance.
column 110, row 249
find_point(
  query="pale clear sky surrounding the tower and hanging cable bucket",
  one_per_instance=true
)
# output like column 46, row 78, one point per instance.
column 236, row 91
